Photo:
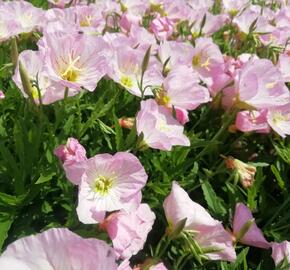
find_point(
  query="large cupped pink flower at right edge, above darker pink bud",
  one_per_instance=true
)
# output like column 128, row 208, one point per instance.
column 261, row 85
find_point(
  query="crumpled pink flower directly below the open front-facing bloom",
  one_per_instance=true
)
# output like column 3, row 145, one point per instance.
column 129, row 231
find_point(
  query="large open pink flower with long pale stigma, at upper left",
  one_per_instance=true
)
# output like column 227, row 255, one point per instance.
column 75, row 61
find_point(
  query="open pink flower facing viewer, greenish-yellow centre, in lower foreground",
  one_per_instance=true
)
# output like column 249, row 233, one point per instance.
column 110, row 183
